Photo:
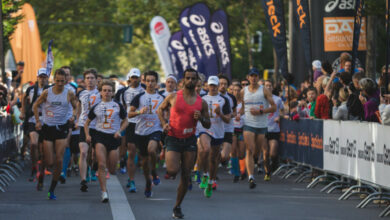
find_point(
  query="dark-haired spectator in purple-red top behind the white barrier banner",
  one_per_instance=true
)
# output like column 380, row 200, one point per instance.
column 369, row 97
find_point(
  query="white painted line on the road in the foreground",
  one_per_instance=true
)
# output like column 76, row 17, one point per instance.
column 120, row 207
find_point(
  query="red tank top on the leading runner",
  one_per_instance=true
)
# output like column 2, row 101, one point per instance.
column 181, row 119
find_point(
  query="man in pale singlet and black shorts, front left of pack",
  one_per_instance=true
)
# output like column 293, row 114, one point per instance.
column 55, row 129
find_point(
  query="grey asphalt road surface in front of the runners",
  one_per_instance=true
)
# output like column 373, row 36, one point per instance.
column 277, row 199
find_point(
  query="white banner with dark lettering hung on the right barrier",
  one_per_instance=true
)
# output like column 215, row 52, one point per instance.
column 358, row 150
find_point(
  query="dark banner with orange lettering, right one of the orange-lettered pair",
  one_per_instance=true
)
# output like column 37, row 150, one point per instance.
column 302, row 15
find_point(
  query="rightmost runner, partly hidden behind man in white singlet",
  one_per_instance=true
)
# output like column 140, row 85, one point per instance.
column 273, row 133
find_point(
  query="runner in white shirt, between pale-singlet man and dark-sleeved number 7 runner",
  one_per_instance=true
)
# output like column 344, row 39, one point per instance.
column 88, row 98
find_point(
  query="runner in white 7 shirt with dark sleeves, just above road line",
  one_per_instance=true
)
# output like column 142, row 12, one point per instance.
column 108, row 115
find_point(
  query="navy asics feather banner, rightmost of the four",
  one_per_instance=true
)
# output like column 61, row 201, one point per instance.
column 219, row 27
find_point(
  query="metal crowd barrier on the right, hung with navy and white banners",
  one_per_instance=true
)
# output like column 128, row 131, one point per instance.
column 345, row 155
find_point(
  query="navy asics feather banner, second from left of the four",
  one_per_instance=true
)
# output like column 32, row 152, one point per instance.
column 192, row 47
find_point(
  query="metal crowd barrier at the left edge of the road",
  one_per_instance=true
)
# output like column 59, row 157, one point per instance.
column 11, row 141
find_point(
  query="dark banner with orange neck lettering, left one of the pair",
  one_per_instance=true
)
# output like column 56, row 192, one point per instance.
column 273, row 10
